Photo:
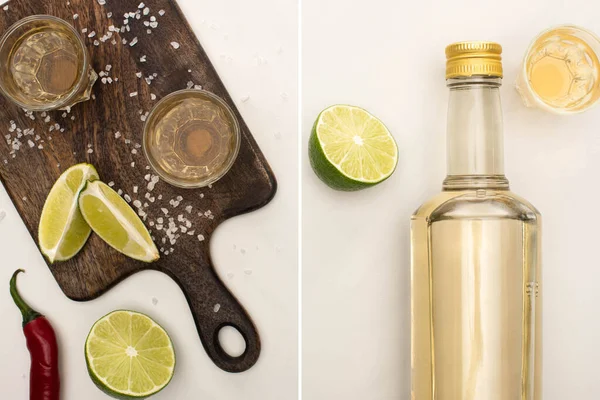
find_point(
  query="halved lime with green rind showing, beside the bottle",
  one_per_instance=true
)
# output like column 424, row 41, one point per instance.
column 350, row 149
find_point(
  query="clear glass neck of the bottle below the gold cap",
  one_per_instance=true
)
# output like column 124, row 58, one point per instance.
column 475, row 146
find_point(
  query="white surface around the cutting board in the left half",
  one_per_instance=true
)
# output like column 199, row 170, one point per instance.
column 254, row 48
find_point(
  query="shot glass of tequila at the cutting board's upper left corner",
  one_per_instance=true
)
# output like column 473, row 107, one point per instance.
column 45, row 65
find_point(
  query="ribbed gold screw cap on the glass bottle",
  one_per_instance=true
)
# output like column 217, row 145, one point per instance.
column 465, row 59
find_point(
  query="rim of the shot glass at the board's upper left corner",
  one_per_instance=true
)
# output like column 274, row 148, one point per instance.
column 75, row 89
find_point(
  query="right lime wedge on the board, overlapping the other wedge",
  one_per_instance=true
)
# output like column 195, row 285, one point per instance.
column 111, row 218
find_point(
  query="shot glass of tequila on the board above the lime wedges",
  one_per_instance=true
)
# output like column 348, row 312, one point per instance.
column 191, row 138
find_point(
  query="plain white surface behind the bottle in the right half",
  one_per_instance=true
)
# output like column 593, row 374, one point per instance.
column 388, row 56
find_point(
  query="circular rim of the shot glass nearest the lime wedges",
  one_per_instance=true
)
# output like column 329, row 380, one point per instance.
column 237, row 133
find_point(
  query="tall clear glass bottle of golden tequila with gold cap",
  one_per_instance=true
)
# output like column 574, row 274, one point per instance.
column 475, row 255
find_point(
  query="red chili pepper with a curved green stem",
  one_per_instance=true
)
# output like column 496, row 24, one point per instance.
column 44, row 380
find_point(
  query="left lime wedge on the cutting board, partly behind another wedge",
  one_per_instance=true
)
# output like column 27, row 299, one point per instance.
column 63, row 231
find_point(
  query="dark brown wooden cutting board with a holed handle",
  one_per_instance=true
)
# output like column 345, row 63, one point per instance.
column 107, row 132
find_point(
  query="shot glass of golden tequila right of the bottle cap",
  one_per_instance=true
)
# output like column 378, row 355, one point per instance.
column 560, row 71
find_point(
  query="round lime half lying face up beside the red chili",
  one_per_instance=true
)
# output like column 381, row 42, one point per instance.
column 129, row 356
